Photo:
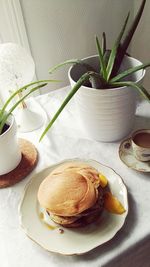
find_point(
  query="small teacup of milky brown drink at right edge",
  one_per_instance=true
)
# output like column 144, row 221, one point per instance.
column 140, row 141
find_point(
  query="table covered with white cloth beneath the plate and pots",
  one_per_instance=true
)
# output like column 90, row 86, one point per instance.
column 131, row 245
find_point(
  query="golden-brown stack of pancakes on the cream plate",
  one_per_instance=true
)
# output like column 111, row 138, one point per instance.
column 72, row 195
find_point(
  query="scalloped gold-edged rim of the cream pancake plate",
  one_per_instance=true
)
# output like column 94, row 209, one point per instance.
column 56, row 164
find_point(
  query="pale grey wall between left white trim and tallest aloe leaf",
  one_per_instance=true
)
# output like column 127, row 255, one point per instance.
column 64, row 29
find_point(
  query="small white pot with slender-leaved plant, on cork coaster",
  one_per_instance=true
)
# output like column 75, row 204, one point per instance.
column 10, row 154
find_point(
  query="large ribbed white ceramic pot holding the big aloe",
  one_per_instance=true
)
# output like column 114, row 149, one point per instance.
column 107, row 114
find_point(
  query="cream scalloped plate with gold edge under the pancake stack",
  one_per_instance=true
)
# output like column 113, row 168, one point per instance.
column 72, row 241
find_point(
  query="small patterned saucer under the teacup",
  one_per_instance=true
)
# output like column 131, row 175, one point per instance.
column 127, row 157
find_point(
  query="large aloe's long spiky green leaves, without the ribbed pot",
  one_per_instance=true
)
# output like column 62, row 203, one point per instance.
column 108, row 76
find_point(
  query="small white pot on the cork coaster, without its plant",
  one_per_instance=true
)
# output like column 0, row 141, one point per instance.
column 10, row 154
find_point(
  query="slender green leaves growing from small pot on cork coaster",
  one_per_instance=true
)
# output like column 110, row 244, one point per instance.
column 5, row 112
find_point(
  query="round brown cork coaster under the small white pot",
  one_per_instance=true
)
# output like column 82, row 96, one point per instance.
column 26, row 165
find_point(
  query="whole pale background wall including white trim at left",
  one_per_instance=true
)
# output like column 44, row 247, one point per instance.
column 61, row 29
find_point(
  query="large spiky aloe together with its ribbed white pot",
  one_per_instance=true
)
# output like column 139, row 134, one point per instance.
column 107, row 99
